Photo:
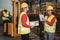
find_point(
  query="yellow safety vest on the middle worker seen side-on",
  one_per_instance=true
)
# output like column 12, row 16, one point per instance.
column 21, row 28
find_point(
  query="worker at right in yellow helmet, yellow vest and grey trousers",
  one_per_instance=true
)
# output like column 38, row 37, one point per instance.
column 50, row 24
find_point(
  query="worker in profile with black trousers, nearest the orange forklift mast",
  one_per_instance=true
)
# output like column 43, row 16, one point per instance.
column 23, row 24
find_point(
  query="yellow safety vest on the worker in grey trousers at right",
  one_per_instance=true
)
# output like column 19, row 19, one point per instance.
column 48, row 28
